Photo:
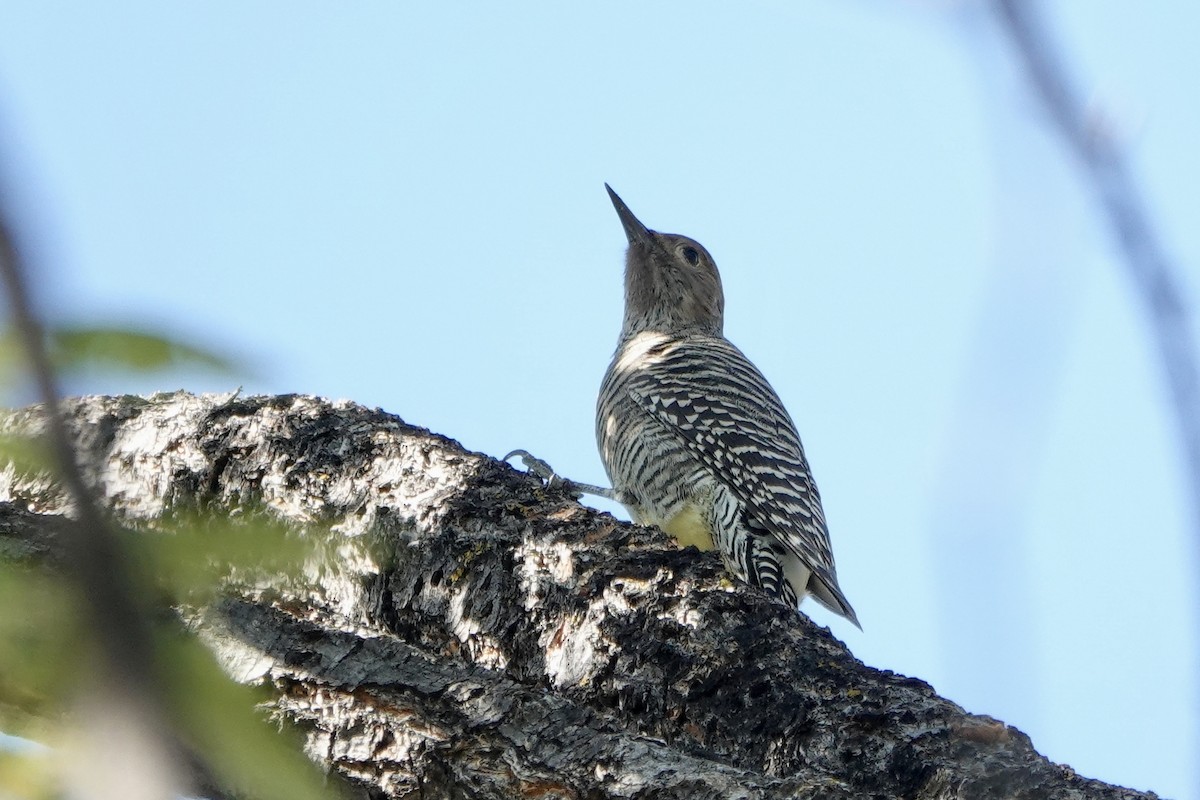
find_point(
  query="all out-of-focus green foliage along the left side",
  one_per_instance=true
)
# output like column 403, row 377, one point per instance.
column 46, row 651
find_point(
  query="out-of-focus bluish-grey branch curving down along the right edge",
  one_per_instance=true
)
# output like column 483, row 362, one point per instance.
column 1154, row 274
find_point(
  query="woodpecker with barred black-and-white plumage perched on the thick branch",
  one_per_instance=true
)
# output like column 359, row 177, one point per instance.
column 693, row 436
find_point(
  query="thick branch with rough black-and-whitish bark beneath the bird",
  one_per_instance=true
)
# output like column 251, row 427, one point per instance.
column 469, row 633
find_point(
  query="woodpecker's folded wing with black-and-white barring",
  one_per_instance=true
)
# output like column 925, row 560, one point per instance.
column 730, row 418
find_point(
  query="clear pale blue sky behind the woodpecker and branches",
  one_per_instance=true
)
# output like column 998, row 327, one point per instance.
column 404, row 206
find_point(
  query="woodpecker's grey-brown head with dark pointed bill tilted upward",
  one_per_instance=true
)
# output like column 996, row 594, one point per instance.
column 671, row 281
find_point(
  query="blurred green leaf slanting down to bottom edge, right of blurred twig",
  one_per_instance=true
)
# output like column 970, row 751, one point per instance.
column 249, row 755
